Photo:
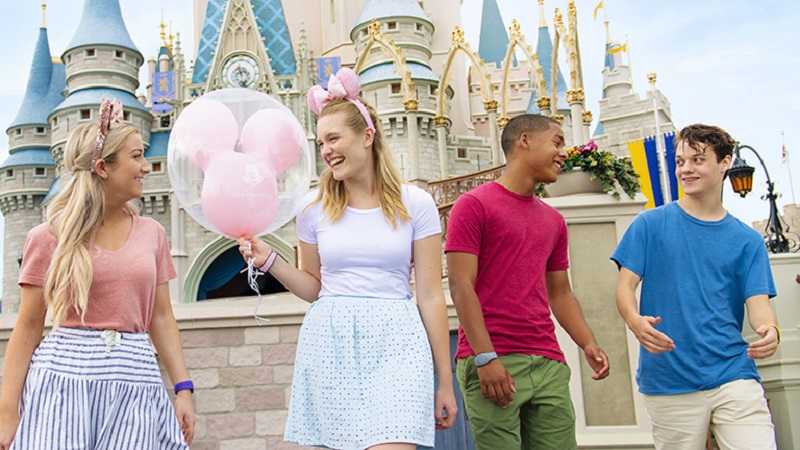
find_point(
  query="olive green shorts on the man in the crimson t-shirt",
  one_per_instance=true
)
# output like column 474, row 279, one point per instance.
column 541, row 417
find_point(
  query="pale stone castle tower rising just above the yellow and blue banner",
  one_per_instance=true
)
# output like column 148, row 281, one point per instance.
column 623, row 115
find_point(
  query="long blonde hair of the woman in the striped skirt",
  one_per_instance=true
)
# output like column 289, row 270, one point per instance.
column 74, row 217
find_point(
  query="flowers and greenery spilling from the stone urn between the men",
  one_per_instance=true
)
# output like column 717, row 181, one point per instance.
column 613, row 173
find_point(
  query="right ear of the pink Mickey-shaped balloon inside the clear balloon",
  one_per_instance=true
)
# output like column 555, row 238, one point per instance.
column 275, row 135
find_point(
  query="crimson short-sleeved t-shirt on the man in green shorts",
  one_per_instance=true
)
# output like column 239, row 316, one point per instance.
column 517, row 239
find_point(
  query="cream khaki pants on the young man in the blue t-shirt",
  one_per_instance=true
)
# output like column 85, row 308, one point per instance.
column 737, row 412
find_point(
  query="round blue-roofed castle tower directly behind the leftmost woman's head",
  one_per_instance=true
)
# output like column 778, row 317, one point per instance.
column 101, row 61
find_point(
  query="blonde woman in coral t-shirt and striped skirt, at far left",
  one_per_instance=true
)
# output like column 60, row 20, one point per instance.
column 101, row 271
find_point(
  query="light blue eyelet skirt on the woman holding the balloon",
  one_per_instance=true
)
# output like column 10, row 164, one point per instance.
column 363, row 376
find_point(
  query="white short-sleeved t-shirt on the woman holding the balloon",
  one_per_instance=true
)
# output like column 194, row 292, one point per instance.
column 361, row 255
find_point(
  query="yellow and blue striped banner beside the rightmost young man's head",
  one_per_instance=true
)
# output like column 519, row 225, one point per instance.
column 644, row 156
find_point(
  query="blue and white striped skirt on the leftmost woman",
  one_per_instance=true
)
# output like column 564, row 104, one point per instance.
column 88, row 389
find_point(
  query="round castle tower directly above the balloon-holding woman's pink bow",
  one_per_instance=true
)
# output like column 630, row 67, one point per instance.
column 406, row 24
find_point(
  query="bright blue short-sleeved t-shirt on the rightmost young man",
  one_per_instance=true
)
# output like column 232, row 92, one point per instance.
column 696, row 276
